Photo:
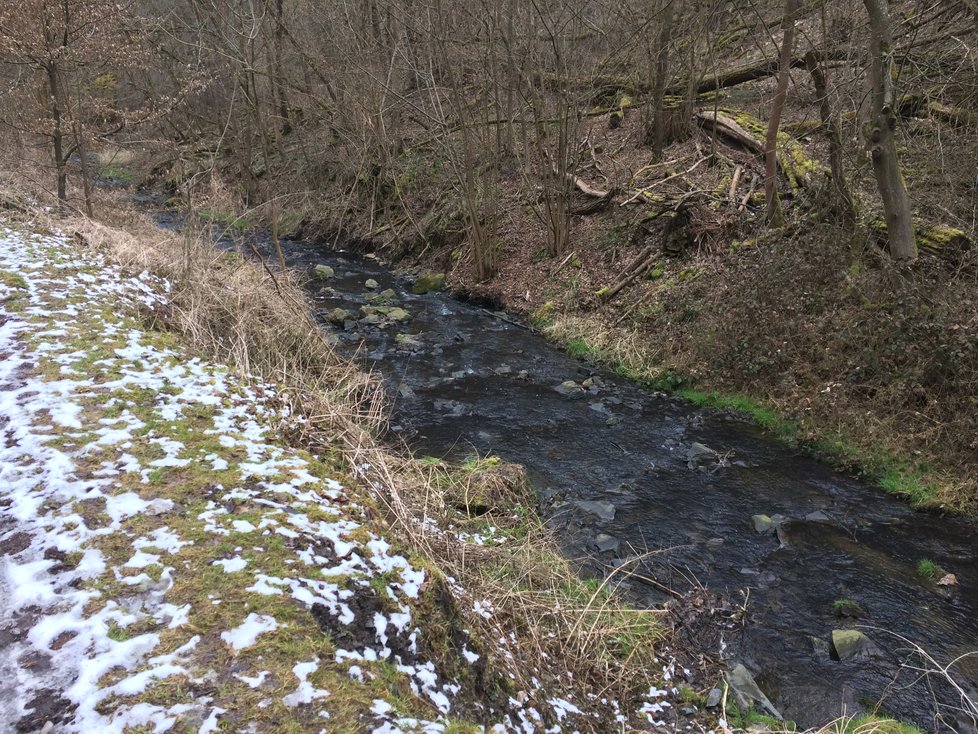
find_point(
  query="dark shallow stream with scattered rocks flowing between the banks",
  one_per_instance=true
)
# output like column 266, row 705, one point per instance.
column 626, row 475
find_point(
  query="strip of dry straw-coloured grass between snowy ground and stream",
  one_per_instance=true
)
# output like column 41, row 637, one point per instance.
column 561, row 630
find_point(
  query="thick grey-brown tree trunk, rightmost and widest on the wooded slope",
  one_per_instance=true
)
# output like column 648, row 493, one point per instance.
column 881, row 136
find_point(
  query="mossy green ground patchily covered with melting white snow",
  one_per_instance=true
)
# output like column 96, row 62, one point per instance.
column 169, row 562
